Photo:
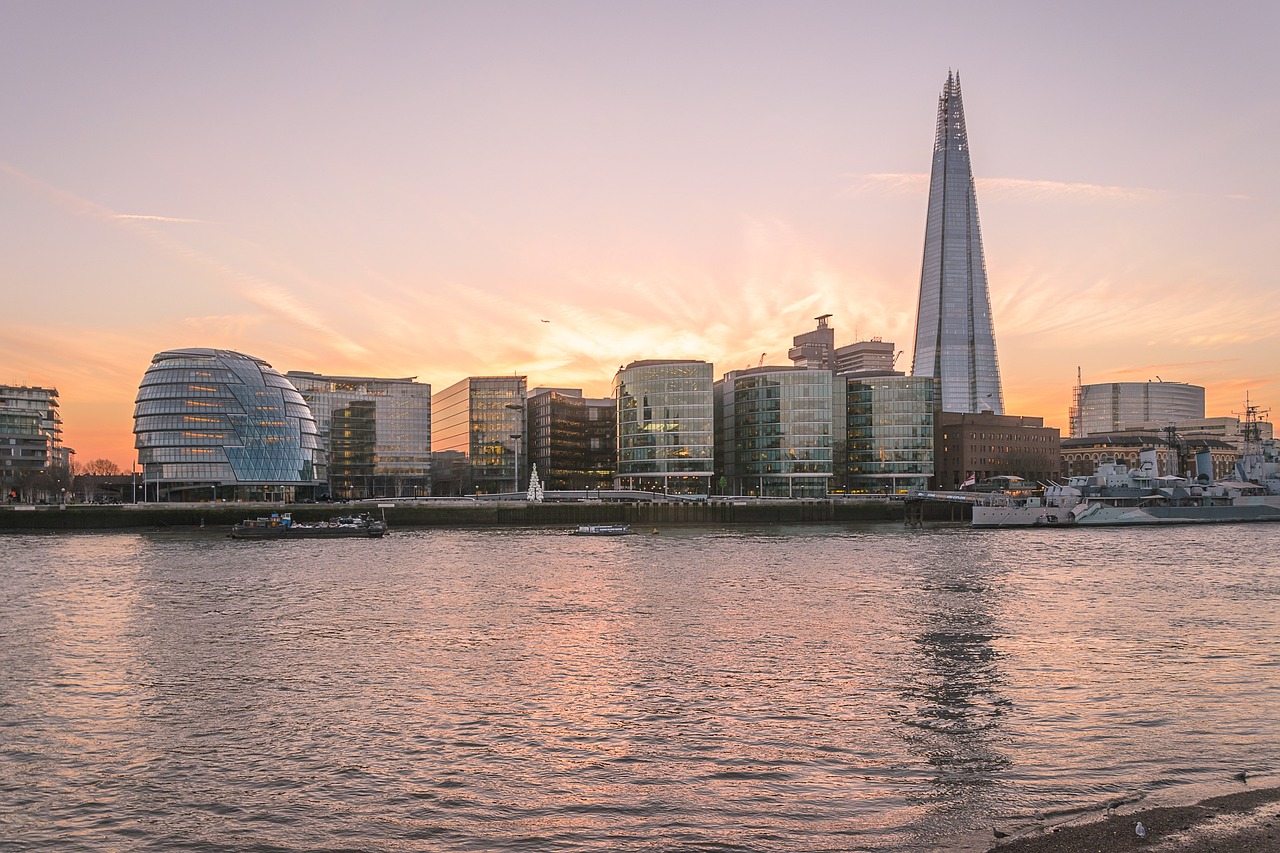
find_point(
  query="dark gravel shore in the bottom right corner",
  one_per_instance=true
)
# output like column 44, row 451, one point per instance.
column 1246, row 822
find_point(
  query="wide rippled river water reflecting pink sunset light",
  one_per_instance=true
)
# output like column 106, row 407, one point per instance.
column 797, row 688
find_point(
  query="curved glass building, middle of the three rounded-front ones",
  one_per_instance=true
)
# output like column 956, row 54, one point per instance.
column 774, row 432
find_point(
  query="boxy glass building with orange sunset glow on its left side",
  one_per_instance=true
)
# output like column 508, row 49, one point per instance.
column 478, row 436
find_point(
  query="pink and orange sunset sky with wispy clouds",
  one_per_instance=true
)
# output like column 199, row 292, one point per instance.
column 556, row 189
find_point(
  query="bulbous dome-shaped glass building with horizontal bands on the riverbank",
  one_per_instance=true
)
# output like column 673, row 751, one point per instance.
column 220, row 425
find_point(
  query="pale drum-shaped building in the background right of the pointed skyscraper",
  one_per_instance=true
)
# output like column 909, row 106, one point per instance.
column 1116, row 407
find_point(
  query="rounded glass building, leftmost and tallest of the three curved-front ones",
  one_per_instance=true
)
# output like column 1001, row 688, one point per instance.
column 666, row 427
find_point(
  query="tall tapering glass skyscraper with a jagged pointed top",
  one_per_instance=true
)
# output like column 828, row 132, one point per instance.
column 954, row 337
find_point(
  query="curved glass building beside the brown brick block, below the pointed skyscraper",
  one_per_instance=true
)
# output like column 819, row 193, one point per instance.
column 889, row 434
